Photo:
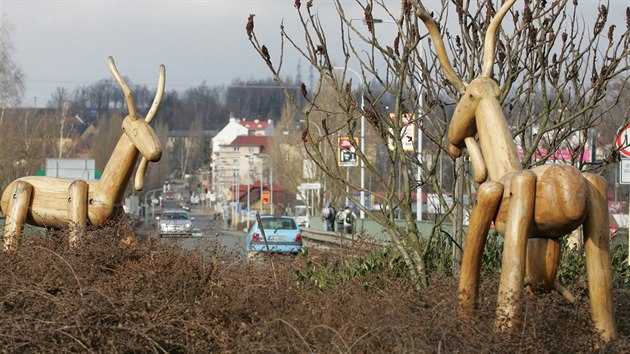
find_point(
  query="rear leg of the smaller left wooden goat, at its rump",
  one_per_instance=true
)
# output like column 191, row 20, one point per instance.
column 16, row 215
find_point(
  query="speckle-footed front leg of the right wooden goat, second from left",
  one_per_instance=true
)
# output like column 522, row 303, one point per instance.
column 520, row 218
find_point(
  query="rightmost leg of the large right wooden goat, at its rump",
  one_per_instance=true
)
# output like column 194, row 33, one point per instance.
column 598, row 264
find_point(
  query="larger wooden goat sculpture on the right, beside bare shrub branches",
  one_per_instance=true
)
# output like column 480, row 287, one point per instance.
column 532, row 209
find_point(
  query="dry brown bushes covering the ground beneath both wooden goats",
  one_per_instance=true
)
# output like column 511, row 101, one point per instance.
column 104, row 296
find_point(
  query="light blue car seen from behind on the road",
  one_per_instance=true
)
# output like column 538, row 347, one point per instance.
column 282, row 233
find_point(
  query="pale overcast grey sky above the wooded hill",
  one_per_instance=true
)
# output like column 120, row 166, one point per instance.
column 65, row 43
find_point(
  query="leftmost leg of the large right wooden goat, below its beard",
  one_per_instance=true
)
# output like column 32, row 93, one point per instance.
column 488, row 200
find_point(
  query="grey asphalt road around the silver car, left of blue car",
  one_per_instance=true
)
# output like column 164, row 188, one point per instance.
column 207, row 233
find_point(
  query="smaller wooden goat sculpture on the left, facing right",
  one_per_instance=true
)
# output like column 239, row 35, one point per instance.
column 59, row 203
